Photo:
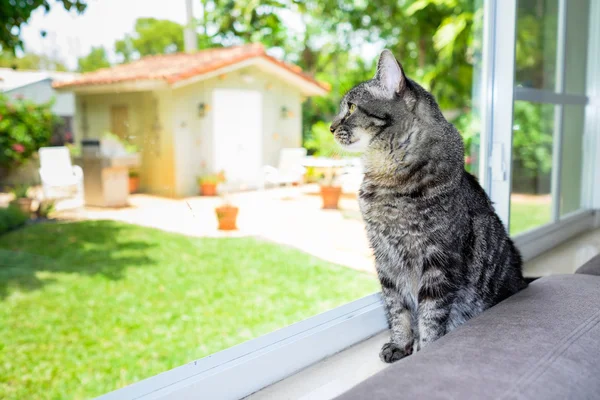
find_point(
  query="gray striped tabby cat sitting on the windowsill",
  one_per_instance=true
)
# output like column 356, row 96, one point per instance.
column 441, row 253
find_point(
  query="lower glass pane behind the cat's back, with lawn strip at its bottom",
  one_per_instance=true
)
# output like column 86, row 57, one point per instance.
column 531, row 199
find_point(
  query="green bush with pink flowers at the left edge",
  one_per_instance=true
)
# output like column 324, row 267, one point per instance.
column 24, row 128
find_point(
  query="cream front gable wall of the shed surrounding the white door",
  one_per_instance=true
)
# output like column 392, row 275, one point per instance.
column 193, row 134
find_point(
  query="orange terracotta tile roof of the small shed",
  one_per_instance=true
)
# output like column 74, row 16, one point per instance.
column 175, row 67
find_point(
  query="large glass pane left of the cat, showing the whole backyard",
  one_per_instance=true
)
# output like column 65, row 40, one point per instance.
column 145, row 276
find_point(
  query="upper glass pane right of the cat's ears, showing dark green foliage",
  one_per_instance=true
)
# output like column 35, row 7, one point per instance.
column 537, row 24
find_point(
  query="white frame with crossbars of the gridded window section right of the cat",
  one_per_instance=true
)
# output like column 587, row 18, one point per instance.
column 501, row 63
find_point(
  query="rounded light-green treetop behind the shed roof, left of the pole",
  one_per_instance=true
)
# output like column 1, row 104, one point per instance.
column 151, row 36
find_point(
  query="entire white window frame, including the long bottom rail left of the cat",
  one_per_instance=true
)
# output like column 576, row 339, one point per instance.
column 246, row 368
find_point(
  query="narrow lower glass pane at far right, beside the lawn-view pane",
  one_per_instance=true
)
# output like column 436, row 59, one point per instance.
column 572, row 159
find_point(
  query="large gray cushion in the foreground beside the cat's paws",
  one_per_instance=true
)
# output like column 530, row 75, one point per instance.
column 542, row 343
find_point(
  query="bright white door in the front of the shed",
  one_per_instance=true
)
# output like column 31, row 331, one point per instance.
column 237, row 134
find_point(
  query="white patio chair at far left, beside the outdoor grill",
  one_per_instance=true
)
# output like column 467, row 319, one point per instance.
column 61, row 179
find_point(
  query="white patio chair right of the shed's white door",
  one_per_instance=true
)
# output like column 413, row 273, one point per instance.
column 289, row 170
